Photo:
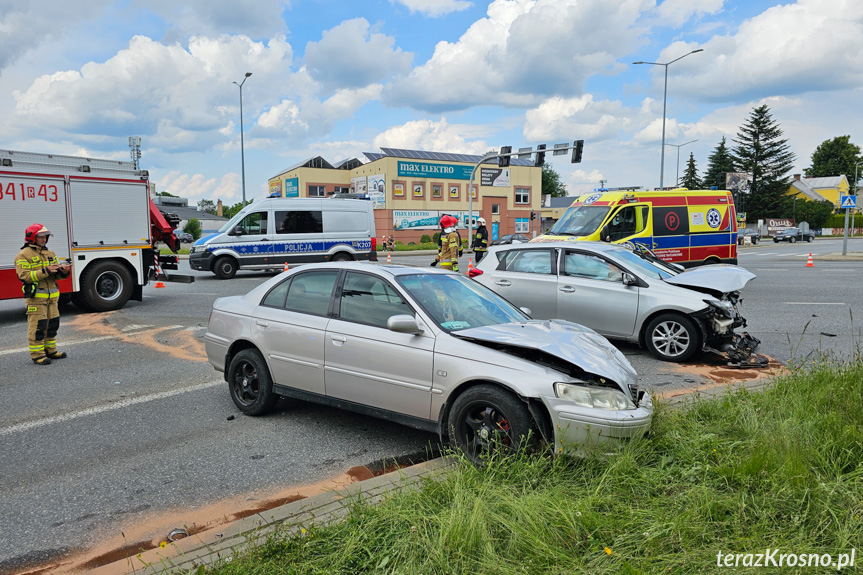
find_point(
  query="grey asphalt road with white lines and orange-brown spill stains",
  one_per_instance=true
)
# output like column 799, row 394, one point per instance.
column 135, row 432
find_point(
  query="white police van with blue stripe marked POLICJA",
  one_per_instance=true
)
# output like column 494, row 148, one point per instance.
column 273, row 232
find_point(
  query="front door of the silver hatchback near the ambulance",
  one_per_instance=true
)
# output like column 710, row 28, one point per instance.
column 590, row 291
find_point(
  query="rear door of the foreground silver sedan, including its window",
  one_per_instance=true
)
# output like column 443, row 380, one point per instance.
column 289, row 328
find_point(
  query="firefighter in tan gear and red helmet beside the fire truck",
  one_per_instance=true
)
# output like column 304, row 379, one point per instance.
column 38, row 270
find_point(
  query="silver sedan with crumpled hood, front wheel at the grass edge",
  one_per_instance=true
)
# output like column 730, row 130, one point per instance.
column 425, row 348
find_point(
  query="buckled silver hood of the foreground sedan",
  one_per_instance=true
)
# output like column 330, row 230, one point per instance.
column 571, row 342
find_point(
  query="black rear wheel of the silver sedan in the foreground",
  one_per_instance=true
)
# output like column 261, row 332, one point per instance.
column 250, row 383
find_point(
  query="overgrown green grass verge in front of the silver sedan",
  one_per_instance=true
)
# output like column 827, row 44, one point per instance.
column 739, row 474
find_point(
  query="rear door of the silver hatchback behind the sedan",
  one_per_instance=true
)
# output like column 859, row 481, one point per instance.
column 527, row 278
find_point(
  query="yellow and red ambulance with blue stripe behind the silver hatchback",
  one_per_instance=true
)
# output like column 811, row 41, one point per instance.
column 686, row 227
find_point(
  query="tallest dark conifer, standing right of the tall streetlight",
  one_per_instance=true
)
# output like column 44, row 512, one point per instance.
column 761, row 151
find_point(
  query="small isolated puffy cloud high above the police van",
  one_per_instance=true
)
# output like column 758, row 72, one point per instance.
column 350, row 55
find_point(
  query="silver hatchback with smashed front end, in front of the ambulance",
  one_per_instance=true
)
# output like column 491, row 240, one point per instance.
column 627, row 294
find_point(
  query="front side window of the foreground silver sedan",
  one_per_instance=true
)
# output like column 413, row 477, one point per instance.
column 370, row 300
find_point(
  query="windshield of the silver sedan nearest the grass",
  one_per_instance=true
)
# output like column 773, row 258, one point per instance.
column 456, row 302
